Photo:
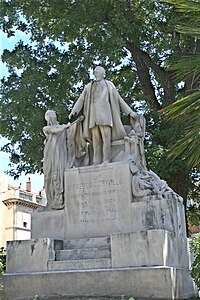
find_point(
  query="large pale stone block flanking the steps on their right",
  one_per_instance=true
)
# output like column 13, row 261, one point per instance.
column 149, row 248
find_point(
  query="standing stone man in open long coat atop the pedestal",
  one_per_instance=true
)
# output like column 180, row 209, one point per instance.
column 101, row 104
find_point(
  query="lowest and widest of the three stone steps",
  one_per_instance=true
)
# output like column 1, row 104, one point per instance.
column 86, row 264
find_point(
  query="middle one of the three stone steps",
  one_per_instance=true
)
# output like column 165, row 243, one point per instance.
column 88, row 253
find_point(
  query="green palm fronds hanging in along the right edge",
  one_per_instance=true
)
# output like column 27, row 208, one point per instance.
column 187, row 109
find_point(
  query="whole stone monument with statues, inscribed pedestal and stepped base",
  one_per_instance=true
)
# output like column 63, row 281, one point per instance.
column 111, row 226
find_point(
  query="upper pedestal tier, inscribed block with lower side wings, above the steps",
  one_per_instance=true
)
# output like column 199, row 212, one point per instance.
column 99, row 202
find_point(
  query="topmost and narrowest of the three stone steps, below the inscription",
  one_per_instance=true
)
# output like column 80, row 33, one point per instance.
column 86, row 243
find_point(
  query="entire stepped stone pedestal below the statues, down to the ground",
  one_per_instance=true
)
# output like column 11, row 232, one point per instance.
column 103, row 243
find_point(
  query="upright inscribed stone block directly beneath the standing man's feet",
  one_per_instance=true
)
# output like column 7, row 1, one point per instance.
column 98, row 200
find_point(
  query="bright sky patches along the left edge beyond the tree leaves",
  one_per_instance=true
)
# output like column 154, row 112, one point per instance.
column 36, row 179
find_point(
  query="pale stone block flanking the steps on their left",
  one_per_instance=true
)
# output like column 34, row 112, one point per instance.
column 30, row 255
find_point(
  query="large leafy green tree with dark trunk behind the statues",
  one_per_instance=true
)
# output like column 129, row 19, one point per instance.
column 135, row 41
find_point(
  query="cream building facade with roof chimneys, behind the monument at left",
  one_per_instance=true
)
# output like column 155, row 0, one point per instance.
column 16, row 207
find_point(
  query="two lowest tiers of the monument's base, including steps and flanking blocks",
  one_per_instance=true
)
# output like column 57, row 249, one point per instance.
column 146, row 265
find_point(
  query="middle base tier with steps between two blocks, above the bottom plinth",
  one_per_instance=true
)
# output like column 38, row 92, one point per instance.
column 133, row 249
